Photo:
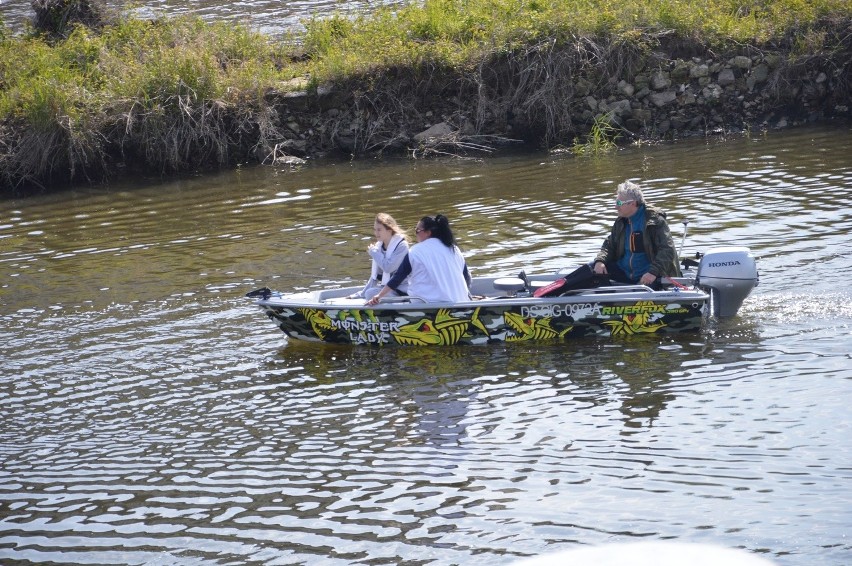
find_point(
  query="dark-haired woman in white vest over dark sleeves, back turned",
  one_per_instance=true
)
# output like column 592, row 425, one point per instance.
column 435, row 268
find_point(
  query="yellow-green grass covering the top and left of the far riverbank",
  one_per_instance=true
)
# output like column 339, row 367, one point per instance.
column 178, row 95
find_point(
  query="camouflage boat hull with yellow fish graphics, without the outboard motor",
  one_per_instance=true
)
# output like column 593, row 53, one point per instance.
column 328, row 316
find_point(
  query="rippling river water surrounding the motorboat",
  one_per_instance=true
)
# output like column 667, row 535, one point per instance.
column 150, row 415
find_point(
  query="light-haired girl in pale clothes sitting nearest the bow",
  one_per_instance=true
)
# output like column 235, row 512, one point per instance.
column 387, row 253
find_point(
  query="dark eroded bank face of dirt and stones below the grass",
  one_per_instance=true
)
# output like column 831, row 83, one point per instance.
column 546, row 97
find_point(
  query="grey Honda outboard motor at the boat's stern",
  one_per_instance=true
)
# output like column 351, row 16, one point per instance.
column 728, row 274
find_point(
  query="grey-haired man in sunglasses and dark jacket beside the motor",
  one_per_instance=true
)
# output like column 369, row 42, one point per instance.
column 639, row 249
